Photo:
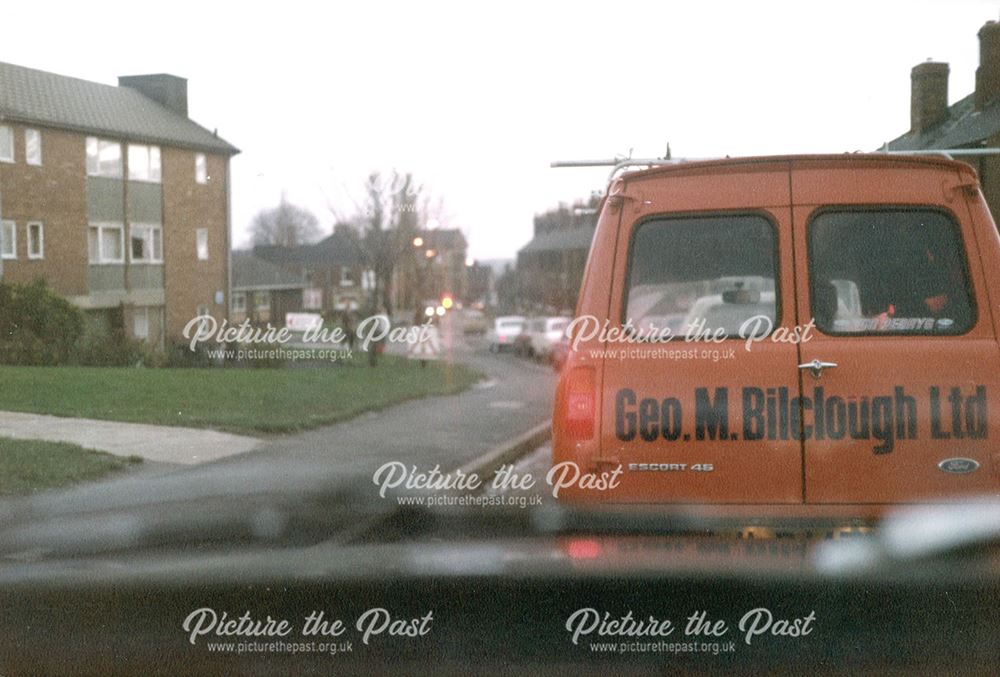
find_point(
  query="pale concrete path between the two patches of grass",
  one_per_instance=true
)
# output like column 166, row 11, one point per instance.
column 163, row 444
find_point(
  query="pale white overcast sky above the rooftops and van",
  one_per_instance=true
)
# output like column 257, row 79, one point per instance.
column 476, row 100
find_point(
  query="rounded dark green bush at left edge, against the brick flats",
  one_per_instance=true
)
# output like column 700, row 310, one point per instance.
column 37, row 326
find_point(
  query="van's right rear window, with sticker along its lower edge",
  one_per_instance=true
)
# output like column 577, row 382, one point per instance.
column 888, row 271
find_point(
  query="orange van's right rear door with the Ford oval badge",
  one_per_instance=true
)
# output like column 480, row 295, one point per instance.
column 901, row 402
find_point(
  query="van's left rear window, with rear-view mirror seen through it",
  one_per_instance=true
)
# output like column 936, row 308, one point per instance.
column 693, row 274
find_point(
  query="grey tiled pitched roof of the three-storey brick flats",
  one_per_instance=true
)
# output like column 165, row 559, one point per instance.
column 43, row 98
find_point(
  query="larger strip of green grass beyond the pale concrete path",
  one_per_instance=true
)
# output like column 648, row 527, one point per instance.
column 250, row 401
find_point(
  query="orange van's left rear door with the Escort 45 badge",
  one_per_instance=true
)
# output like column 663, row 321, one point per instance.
column 697, row 254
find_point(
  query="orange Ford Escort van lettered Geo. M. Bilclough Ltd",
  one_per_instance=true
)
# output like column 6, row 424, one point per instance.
column 804, row 334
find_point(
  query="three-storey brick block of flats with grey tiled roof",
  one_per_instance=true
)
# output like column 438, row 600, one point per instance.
column 115, row 197
